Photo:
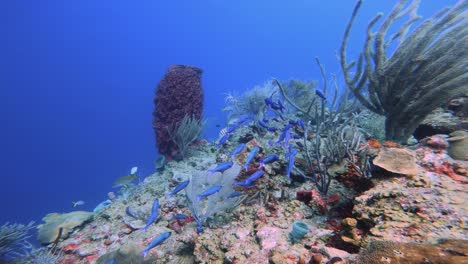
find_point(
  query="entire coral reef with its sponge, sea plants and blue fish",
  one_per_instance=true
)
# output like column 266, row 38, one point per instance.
column 275, row 189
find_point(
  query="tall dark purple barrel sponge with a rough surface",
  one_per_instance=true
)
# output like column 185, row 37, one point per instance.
column 178, row 94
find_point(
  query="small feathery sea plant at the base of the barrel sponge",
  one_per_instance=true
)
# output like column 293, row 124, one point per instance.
column 186, row 132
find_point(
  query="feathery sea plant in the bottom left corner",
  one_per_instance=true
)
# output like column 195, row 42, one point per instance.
column 14, row 241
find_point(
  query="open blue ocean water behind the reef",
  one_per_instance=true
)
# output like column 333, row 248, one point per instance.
column 78, row 79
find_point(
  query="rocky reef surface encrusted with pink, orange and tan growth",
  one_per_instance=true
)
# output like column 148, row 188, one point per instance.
column 416, row 212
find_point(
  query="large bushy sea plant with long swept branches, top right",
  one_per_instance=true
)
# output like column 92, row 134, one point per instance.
column 427, row 68
